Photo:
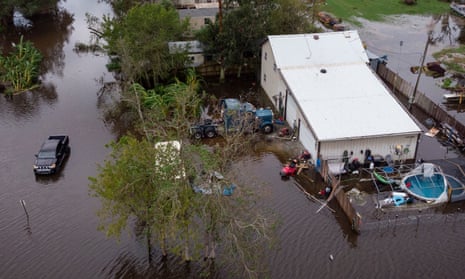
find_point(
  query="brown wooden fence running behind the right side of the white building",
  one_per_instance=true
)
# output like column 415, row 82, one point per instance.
column 421, row 102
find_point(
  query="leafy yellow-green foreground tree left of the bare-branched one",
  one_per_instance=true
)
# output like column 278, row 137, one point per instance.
column 140, row 181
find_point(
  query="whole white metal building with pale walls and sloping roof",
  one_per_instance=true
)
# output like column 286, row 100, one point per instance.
column 323, row 85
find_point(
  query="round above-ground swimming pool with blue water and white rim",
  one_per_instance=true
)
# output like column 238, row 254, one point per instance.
column 426, row 182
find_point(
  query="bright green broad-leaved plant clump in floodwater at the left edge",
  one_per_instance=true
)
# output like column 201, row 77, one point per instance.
column 20, row 68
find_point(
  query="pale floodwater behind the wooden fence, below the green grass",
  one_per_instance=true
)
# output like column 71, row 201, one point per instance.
column 403, row 40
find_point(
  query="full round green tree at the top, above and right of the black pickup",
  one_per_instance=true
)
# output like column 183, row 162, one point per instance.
column 140, row 39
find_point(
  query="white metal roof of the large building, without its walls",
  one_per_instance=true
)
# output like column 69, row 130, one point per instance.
column 339, row 94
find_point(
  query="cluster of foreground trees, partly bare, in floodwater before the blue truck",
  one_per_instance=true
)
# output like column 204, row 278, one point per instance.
column 176, row 219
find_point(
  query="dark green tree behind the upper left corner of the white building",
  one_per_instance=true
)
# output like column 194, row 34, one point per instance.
column 235, row 39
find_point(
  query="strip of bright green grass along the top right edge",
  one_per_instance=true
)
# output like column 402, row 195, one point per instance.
column 375, row 10
